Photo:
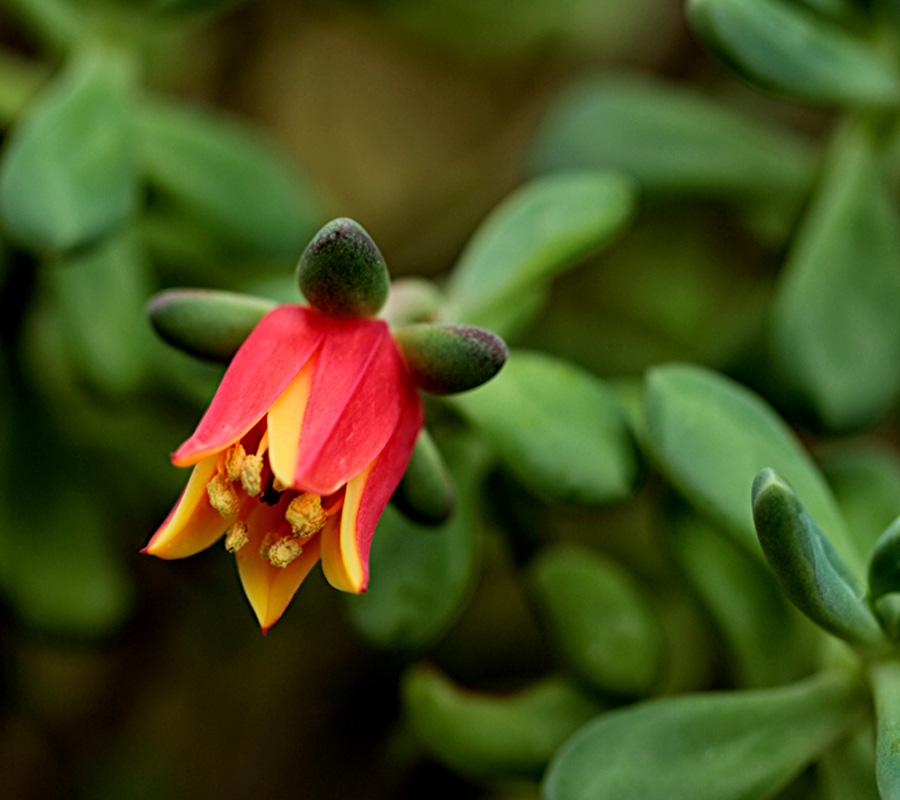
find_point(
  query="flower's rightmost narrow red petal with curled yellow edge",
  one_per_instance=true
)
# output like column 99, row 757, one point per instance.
column 345, row 551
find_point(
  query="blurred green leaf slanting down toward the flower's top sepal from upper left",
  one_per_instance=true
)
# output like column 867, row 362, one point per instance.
column 229, row 175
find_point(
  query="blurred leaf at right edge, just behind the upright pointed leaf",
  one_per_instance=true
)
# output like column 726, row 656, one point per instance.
column 865, row 478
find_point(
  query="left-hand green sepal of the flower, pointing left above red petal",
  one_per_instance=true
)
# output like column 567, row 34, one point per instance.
column 205, row 323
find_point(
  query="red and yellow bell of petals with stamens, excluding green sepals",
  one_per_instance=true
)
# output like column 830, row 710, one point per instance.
column 297, row 455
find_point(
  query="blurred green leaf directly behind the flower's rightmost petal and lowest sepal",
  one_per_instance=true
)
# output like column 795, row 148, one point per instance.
column 421, row 575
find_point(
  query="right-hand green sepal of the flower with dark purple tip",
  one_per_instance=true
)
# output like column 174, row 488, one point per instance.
column 445, row 359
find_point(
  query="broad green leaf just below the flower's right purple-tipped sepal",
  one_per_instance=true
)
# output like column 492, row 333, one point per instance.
column 557, row 428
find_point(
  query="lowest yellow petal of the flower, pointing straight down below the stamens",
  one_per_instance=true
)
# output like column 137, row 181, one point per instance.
column 269, row 589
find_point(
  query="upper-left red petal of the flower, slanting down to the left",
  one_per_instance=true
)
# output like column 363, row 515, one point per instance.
column 260, row 371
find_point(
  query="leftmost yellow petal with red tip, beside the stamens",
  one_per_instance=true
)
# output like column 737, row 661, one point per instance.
column 193, row 524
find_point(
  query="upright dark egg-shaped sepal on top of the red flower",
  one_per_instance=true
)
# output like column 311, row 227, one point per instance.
column 342, row 273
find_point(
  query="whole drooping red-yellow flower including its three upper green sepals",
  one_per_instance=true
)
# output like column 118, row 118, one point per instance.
column 314, row 423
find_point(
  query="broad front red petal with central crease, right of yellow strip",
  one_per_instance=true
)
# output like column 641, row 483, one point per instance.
column 353, row 407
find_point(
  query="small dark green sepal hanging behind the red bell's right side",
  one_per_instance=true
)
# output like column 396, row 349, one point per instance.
column 426, row 493
